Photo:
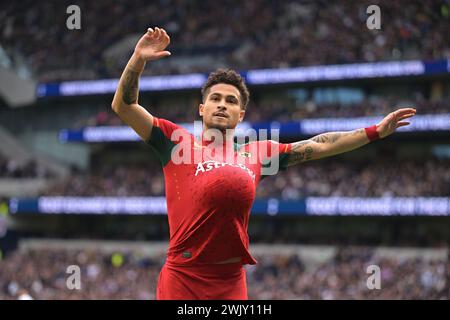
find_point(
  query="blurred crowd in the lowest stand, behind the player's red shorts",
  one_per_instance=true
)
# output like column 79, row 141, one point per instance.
column 41, row 274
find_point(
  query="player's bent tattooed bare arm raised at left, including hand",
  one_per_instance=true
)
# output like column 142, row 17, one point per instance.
column 125, row 104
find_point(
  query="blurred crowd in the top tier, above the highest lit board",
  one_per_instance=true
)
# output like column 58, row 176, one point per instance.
column 260, row 33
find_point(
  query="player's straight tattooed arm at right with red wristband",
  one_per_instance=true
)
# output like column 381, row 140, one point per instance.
column 332, row 143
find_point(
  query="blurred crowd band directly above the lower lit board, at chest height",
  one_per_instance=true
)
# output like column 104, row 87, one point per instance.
column 325, row 177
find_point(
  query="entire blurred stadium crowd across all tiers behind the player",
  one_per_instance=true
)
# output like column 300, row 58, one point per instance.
column 249, row 34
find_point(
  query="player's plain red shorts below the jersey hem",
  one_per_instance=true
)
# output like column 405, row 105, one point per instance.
column 204, row 282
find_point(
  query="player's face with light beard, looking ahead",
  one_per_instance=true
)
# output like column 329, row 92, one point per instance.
column 222, row 107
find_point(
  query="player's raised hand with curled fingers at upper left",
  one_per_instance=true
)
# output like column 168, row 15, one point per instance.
column 152, row 44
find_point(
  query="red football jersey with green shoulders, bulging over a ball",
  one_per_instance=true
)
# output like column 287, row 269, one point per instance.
column 211, row 192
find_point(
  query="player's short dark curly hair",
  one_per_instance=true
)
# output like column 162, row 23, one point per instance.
column 227, row 76
